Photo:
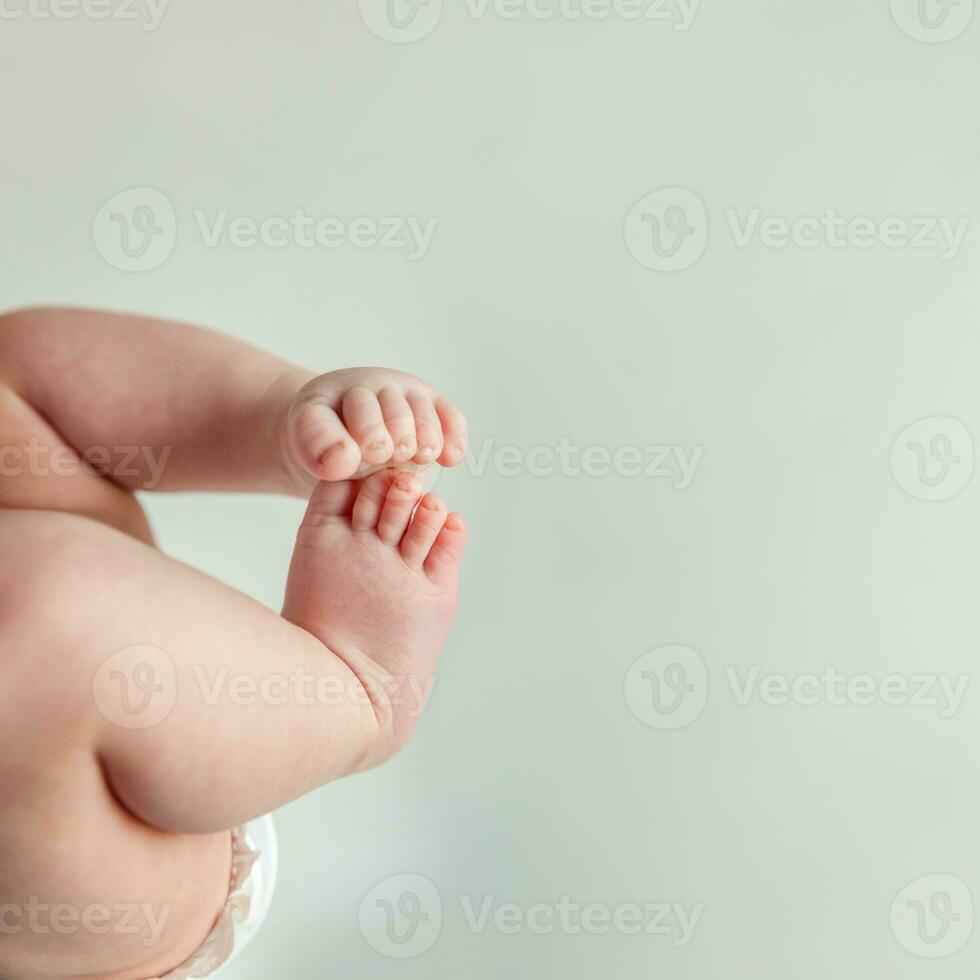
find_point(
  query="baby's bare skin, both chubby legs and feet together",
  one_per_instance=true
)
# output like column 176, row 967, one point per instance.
column 95, row 814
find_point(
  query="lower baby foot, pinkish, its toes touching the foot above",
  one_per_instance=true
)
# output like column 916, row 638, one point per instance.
column 377, row 587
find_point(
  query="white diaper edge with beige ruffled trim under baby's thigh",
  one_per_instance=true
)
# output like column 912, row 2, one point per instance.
column 255, row 862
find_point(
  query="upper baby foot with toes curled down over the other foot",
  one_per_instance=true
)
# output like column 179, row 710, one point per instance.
column 349, row 424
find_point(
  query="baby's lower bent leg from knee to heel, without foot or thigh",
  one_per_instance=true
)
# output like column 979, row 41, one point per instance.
column 203, row 708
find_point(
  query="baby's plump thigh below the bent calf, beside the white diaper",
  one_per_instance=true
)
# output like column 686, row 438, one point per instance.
column 85, row 888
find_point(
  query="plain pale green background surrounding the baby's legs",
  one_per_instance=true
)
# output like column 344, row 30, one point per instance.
column 793, row 549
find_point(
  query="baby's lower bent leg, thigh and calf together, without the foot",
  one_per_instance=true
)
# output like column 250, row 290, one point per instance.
column 98, row 809
